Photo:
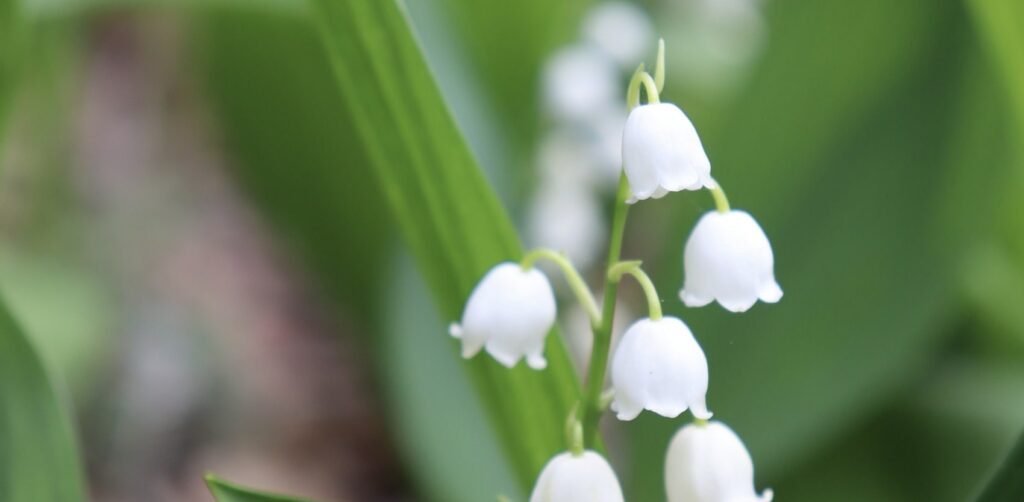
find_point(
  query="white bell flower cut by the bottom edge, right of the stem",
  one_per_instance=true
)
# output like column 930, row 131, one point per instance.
column 709, row 464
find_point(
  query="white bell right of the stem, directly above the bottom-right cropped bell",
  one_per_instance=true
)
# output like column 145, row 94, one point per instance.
column 659, row 366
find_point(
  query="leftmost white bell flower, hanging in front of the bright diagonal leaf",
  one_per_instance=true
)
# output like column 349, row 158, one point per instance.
column 509, row 313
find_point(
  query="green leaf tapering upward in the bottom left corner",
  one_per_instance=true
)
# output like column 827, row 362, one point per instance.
column 38, row 455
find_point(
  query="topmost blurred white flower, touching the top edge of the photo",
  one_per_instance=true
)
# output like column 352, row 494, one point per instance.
column 621, row 30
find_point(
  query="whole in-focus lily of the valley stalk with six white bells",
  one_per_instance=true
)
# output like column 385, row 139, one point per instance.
column 659, row 365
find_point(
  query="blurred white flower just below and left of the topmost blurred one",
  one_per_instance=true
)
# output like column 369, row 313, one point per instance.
column 580, row 82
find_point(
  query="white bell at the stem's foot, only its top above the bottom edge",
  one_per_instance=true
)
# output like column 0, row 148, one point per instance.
column 584, row 478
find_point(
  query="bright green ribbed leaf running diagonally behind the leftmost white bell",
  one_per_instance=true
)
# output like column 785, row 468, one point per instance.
column 448, row 215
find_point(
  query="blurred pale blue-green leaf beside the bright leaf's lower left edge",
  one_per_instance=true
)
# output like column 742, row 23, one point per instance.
column 445, row 435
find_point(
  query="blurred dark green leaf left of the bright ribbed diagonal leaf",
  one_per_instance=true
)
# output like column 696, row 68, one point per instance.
column 293, row 148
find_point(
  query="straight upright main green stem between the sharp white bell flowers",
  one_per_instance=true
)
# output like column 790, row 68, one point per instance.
column 603, row 333
